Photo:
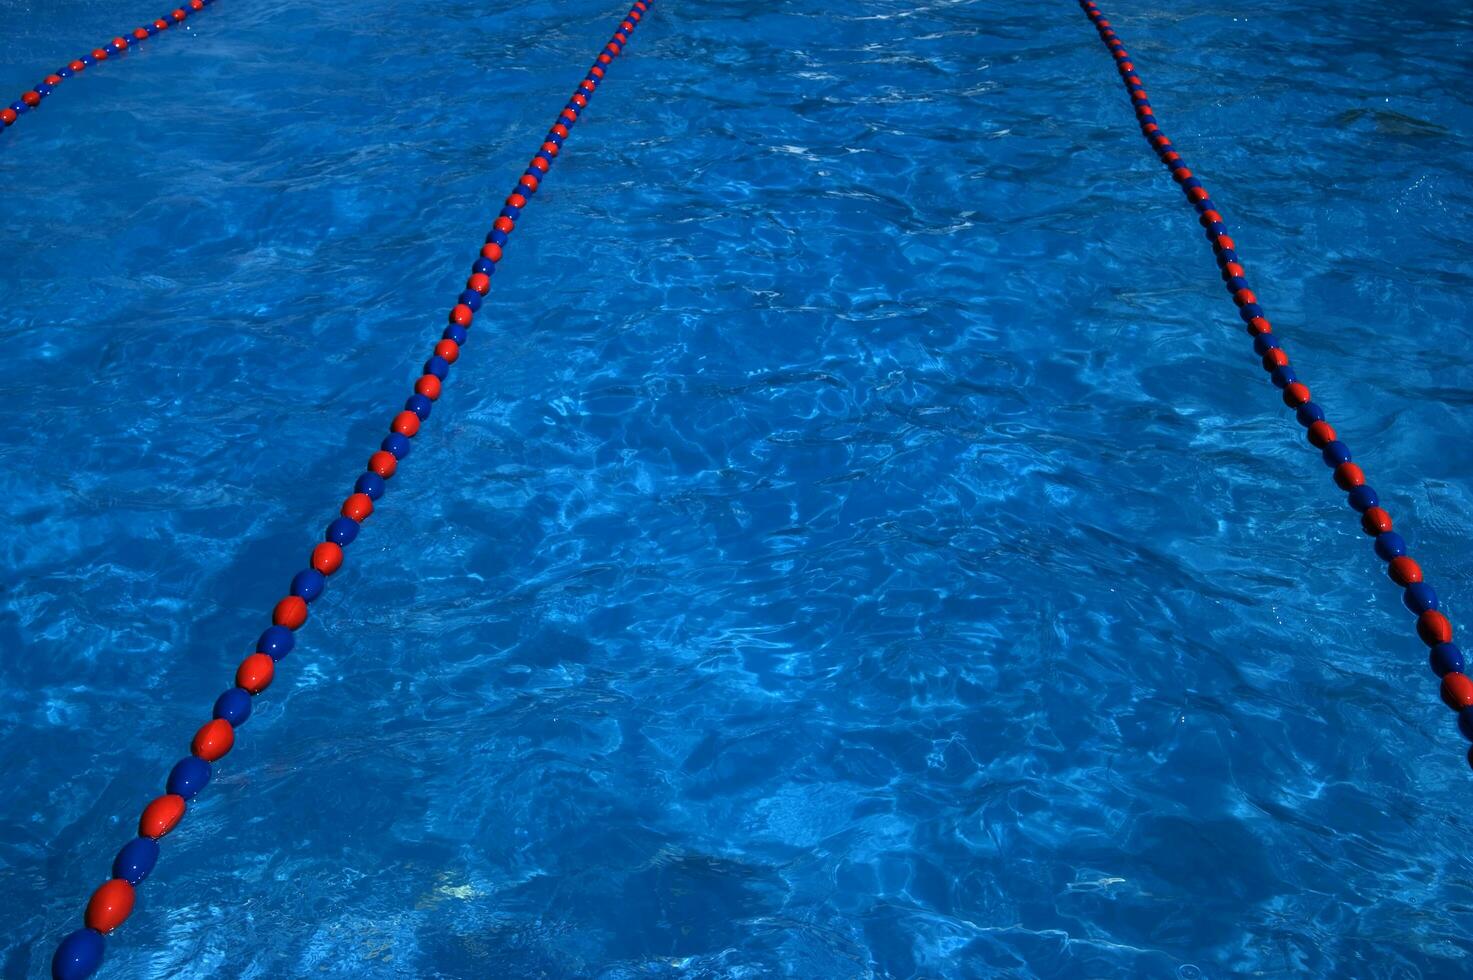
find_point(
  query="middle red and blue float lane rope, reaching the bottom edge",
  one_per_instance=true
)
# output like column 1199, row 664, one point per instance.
column 80, row 954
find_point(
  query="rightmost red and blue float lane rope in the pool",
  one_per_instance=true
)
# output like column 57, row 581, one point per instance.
column 1419, row 598
